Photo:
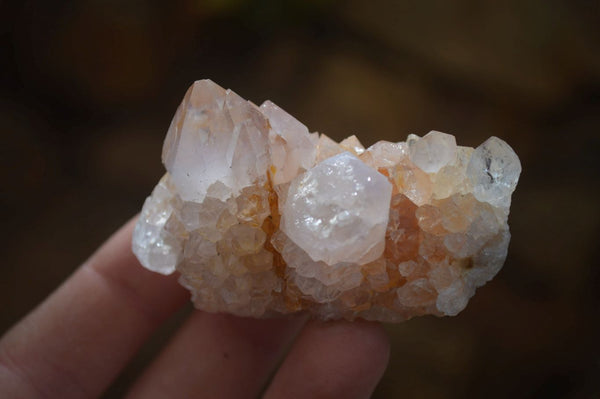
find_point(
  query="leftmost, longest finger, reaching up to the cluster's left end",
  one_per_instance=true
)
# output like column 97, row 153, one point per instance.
column 75, row 342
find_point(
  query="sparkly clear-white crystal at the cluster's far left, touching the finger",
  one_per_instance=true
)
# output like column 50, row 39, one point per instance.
column 155, row 247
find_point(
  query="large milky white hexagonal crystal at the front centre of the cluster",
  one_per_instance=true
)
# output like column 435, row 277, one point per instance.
column 338, row 211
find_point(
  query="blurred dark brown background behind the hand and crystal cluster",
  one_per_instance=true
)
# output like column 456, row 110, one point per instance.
column 88, row 88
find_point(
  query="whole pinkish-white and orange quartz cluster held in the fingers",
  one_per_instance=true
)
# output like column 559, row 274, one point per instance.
column 261, row 217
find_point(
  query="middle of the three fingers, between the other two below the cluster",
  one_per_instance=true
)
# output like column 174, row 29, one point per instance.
column 218, row 356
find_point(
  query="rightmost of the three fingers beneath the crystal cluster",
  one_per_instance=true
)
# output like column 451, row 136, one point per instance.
column 333, row 360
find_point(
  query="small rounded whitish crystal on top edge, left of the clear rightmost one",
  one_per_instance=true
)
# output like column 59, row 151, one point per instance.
column 433, row 151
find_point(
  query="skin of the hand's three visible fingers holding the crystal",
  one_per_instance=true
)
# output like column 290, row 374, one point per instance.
column 75, row 343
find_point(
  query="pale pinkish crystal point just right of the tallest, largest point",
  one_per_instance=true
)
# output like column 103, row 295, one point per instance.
column 293, row 149
